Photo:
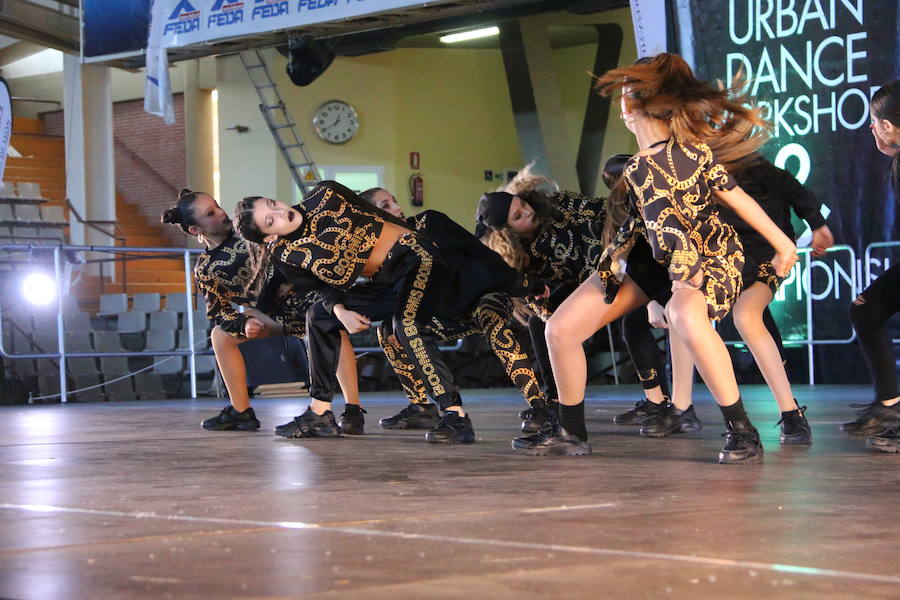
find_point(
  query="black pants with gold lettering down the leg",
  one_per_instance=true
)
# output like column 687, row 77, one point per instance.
column 397, row 294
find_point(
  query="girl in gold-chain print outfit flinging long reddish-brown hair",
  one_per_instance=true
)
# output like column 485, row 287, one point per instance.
column 671, row 184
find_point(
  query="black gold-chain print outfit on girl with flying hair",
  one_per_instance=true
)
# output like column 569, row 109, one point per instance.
column 672, row 204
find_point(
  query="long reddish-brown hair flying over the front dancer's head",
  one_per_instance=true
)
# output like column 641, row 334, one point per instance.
column 664, row 87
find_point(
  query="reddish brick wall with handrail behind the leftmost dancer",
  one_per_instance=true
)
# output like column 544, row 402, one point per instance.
column 159, row 145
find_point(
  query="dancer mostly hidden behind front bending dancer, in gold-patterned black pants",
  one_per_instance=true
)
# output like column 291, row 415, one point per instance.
column 491, row 319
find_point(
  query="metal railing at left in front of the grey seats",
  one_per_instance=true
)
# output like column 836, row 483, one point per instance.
column 62, row 355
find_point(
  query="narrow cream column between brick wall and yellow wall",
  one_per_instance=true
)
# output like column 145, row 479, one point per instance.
column 198, row 122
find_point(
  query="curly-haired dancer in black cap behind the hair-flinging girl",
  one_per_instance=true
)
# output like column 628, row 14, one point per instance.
column 557, row 236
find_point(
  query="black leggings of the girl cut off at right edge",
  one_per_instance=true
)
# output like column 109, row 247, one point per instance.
column 881, row 300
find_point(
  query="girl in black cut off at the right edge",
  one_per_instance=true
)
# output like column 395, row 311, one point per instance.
column 871, row 310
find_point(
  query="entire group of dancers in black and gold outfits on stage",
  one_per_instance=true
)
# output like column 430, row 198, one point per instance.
column 697, row 225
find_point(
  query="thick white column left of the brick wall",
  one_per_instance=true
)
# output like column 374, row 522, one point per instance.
column 90, row 159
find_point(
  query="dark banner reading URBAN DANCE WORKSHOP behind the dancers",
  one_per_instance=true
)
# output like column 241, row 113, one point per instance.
column 813, row 66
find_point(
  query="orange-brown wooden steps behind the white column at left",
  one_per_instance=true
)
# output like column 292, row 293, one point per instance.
column 43, row 162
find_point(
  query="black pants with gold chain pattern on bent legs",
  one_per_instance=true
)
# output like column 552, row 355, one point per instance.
column 490, row 318
